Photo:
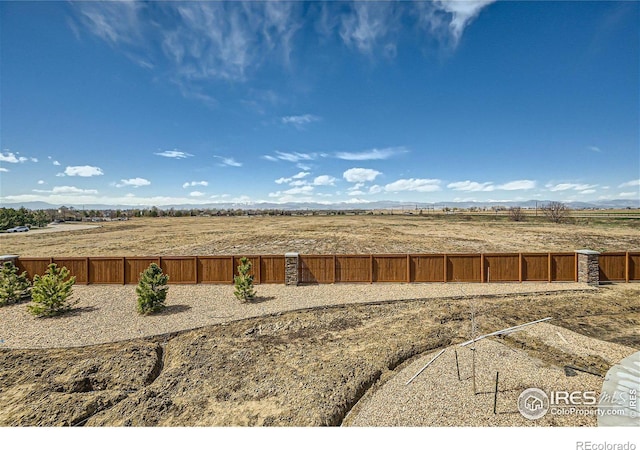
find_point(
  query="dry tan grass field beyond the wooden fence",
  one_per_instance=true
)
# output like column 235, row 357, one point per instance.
column 324, row 235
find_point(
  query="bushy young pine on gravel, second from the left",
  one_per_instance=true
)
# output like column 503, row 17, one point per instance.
column 50, row 293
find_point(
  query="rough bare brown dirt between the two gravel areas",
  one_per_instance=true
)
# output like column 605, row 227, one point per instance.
column 305, row 368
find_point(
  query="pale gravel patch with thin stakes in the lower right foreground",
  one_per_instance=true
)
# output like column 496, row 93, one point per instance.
column 438, row 398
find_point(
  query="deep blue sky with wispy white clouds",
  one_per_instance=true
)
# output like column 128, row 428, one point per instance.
column 159, row 103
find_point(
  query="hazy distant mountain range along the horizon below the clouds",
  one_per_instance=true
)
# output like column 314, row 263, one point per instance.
column 600, row 204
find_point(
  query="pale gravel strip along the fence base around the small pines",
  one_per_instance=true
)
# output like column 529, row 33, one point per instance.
column 108, row 313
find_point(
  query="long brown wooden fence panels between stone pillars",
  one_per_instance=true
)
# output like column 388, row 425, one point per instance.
column 313, row 269
